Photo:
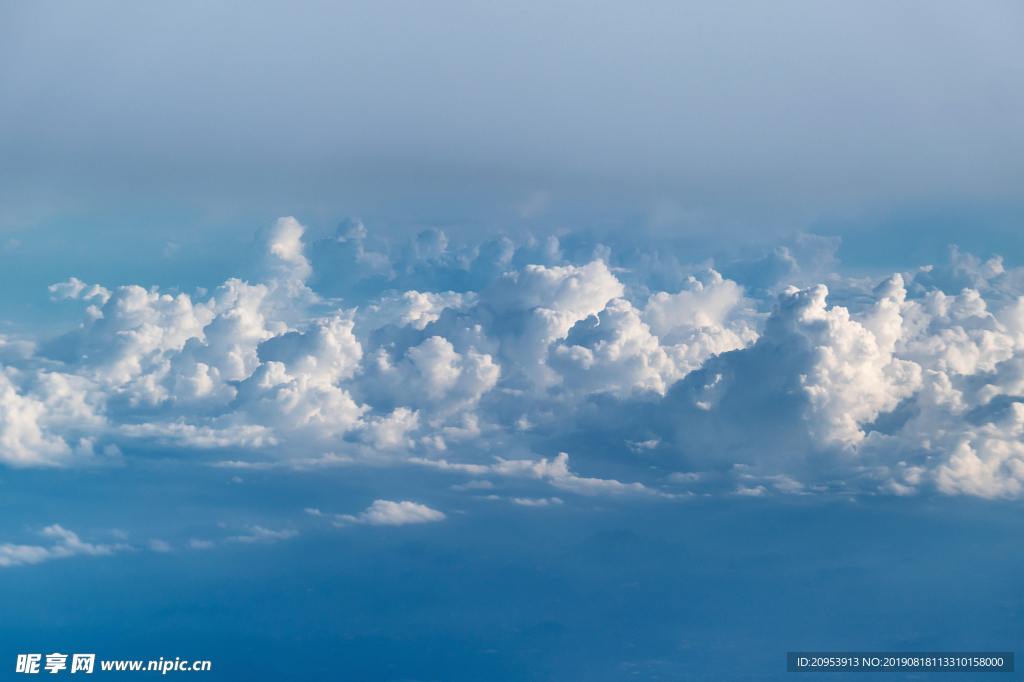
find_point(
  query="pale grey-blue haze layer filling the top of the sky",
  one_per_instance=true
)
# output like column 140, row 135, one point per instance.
column 800, row 107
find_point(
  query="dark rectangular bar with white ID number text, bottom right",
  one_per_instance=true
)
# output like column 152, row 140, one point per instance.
column 887, row 662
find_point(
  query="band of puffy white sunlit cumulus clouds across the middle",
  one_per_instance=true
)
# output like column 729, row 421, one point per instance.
column 470, row 360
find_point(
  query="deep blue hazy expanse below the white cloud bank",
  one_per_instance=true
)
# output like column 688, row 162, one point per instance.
column 590, row 590
